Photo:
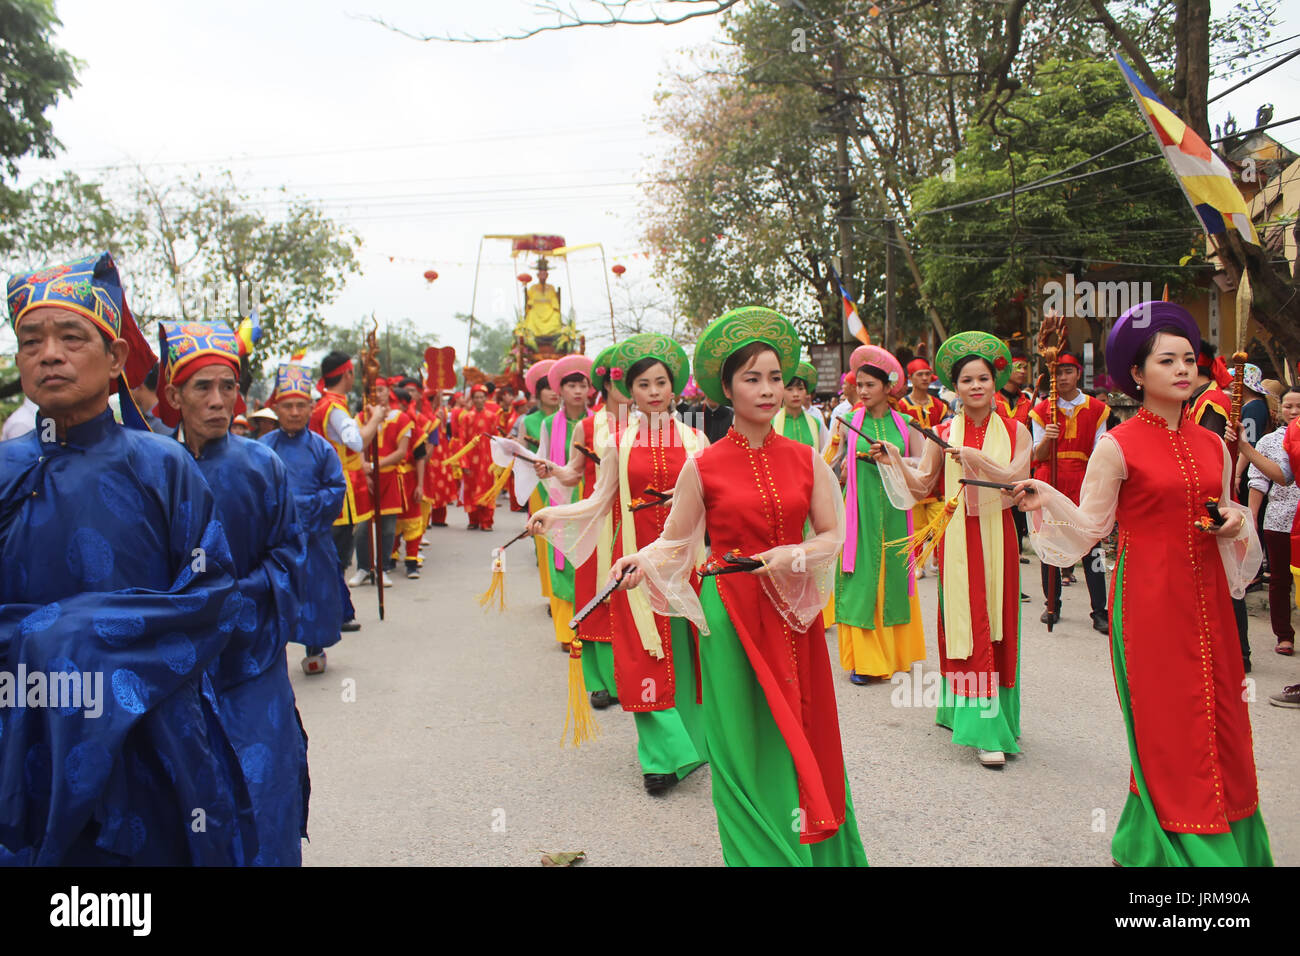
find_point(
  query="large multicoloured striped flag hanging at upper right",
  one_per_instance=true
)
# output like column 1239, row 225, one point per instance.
column 1207, row 183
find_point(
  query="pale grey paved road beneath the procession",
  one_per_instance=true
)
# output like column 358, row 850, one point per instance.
column 436, row 739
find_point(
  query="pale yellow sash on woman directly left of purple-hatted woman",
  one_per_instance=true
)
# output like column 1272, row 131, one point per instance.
column 957, row 605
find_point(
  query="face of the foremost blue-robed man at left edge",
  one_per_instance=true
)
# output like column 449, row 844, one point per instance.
column 66, row 364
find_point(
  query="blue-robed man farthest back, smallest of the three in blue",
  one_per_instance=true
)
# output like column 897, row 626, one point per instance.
column 319, row 487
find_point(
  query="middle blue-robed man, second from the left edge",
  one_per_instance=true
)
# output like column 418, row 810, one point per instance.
column 200, row 388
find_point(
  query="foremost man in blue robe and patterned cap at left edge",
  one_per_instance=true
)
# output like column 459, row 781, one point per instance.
column 114, row 570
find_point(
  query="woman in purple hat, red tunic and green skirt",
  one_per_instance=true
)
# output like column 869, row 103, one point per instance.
column 1185, row 552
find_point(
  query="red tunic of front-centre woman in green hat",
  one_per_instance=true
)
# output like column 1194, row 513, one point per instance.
column 755, row 500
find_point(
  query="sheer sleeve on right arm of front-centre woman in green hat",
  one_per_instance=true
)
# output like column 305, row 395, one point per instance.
column 799, row 579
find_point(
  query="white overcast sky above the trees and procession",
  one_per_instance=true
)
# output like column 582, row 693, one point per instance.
column 421, row 148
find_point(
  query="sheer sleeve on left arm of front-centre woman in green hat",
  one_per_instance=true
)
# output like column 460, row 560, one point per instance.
column 666, row 564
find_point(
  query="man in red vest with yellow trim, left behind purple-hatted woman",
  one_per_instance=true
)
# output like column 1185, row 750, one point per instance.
column 1082, row 419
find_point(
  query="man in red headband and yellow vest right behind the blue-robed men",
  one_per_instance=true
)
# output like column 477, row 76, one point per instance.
column 333, row 422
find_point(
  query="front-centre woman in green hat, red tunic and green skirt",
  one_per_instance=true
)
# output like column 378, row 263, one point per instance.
column 779, row 785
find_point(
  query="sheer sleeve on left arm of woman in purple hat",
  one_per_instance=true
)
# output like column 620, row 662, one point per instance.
column 1061, row 533
